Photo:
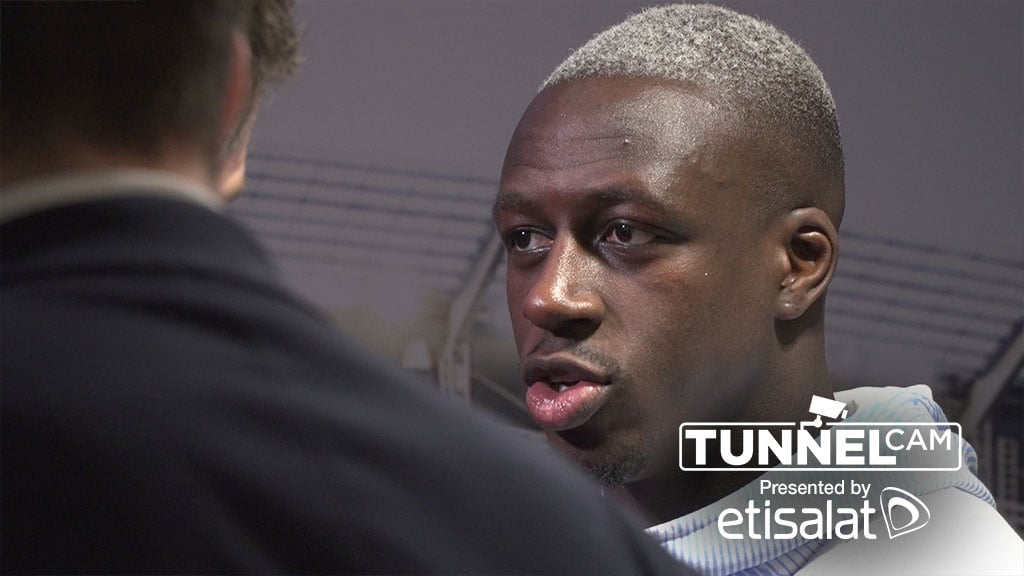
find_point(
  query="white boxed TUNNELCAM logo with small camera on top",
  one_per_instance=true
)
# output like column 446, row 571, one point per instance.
column 812, row 445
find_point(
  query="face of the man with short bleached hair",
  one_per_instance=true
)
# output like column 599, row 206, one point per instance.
column 645, row 283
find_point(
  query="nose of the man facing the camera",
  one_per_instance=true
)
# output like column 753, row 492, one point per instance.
column 565, row 300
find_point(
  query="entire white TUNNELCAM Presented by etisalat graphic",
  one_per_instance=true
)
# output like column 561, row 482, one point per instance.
column 806, row 446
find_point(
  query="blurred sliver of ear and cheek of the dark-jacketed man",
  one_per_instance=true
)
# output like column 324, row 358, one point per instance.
column 236, row 126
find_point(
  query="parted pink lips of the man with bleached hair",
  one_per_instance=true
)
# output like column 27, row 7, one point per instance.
column 564, row 394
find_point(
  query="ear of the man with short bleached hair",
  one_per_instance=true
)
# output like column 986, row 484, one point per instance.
column 812, row 252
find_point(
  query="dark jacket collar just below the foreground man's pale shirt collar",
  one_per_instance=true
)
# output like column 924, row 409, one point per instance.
column 131, row 234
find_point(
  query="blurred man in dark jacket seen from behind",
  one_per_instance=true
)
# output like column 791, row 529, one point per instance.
column 167, row 405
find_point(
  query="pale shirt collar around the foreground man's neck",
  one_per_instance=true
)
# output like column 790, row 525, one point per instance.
column 41, row 194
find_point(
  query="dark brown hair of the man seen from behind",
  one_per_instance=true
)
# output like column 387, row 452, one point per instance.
column 129, row 75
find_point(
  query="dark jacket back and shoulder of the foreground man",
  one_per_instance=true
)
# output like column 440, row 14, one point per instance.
column 177, row 420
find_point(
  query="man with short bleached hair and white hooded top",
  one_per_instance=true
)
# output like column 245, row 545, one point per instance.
column 670, row 203
